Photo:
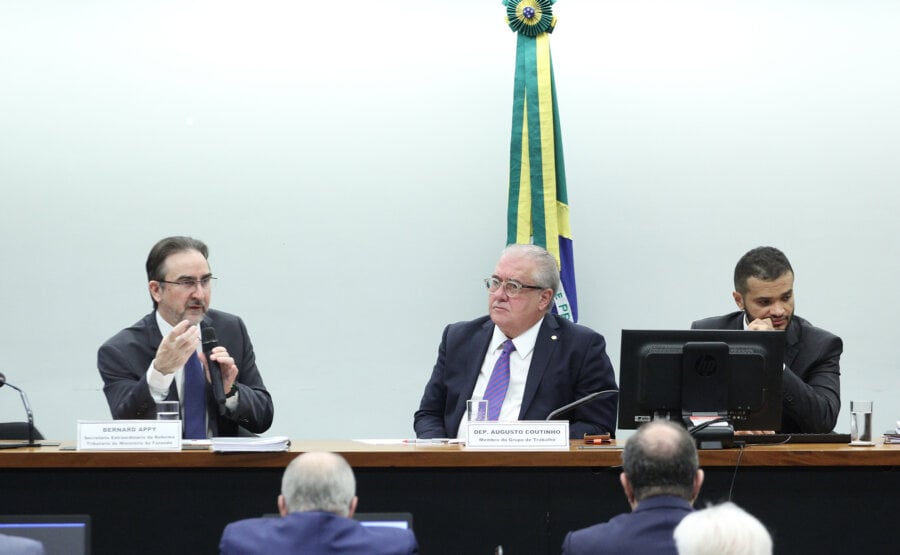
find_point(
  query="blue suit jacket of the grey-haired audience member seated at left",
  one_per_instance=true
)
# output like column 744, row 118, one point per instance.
column 313, row 533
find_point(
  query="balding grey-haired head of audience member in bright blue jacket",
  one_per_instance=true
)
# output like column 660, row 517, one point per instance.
column 318, row 481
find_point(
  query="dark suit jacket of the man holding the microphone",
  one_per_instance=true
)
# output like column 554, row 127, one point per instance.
column 123, row 361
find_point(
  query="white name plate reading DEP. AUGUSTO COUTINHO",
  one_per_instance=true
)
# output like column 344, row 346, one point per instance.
column 522, row 434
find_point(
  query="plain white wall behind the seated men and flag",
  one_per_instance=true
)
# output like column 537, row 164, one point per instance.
column 347, row 164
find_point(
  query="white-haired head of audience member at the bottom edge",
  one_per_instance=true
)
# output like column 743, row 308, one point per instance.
column 724, row 529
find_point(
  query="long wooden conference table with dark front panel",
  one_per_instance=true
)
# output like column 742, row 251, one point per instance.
column 814, row 498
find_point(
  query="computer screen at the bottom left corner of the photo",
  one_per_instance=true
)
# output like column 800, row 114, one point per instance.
column 60, row 534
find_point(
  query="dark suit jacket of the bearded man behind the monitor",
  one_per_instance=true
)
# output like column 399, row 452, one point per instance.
column 812, row 377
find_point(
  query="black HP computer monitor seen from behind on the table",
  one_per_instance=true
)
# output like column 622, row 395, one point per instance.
column 685, row 375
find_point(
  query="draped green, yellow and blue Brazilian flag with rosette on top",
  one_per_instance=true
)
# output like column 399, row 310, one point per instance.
column 538, row 206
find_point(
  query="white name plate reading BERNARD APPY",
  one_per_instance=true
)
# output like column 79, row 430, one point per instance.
column 129, row 435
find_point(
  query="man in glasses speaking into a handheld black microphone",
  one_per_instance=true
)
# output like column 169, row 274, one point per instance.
column 159, row 357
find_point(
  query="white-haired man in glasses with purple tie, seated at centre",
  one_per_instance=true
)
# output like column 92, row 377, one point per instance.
column 545, row 361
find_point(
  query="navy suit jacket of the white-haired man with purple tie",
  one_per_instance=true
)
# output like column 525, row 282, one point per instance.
column 569, row 362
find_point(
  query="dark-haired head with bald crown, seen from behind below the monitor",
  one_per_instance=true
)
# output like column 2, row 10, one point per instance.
column 660, row 459
